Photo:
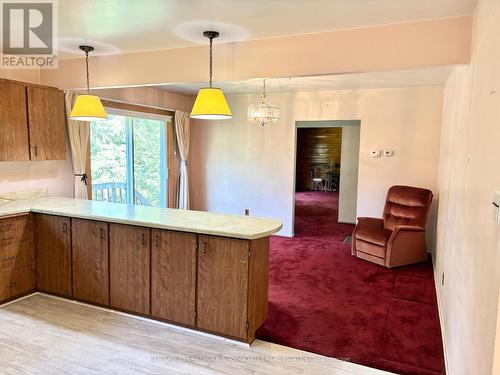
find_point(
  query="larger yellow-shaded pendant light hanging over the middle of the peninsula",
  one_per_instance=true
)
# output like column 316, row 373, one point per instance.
column 210, row 103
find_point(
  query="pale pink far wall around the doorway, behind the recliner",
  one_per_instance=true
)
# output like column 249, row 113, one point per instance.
column 237, row 165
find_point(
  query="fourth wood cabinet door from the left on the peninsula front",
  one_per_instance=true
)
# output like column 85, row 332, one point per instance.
column 173, row 276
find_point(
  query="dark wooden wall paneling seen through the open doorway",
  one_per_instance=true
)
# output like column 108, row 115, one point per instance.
column 317, row 148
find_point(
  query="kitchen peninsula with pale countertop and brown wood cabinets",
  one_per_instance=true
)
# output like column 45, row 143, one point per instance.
column 200, row 270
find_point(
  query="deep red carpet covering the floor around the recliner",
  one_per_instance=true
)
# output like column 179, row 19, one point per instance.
column 323, row 300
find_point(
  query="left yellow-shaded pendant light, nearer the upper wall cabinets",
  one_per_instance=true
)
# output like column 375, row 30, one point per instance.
column 88, row 107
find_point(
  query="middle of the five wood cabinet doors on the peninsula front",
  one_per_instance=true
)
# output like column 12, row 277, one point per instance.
column 129, row 260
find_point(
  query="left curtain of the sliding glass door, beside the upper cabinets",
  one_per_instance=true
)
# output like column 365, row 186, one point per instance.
column 79, row 133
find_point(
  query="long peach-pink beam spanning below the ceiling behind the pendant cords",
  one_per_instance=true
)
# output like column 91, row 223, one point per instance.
column 389, row 47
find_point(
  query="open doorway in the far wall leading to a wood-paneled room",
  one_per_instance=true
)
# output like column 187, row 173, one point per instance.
column 326, row 168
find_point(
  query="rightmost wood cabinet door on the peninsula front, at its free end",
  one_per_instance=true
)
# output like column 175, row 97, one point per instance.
column 223, row 285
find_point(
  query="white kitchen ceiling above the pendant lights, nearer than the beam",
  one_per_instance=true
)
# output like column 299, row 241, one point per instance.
column 116, row 26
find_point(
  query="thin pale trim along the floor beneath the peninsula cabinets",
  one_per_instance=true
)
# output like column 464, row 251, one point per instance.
column 112, row 311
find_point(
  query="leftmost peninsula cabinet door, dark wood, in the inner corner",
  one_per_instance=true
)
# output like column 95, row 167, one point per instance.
column 53, row 254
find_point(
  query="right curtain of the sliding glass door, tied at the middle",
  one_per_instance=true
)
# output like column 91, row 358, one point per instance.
column 182, row 134
